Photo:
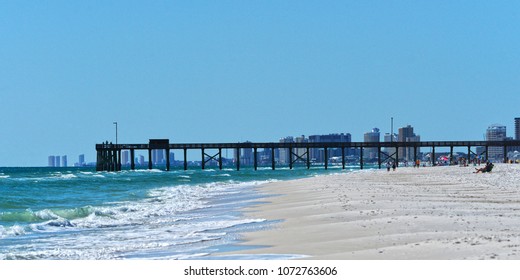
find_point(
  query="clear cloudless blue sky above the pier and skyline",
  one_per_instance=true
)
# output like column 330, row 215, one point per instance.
column 229, row 71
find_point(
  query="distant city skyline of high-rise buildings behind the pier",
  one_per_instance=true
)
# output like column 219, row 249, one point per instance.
column 494, row 132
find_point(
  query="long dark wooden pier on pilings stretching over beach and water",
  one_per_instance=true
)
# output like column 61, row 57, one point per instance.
column 109, row 155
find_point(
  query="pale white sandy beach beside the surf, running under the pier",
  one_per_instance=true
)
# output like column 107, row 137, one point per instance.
column 424, row 213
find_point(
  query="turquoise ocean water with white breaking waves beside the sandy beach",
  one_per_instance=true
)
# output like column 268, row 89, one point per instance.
column 77, row 213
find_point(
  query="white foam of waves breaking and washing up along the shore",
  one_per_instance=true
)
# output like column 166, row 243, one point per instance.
column 172, row 222
